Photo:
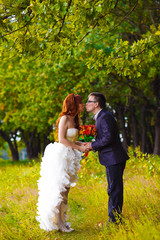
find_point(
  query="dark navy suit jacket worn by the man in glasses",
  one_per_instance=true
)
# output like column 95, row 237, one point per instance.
column 108, row 144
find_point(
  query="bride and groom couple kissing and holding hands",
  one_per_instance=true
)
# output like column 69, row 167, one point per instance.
column 60, row 162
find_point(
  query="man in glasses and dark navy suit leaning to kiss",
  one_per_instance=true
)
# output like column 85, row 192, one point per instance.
column 111, row 153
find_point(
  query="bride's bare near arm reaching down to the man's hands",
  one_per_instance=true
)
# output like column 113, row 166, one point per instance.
column 63, row 126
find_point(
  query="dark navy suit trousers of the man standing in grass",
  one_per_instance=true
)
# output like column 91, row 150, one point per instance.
column 115, row 191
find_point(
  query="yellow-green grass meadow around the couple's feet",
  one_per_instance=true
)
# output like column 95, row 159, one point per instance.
column 87, row 203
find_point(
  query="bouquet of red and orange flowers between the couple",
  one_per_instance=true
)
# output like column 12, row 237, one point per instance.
column 87, row 133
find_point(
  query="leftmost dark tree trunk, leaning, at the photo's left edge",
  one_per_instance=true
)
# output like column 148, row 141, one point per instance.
column 12, row 145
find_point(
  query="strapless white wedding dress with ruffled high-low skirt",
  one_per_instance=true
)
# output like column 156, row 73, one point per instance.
column 59, row 169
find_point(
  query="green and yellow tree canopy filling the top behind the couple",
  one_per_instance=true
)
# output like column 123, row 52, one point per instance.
column 52, row 48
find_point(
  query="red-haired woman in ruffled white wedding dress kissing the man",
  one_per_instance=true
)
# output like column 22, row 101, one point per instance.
column 59, row 167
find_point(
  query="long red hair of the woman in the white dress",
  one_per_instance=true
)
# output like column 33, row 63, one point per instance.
column 70, row 107
